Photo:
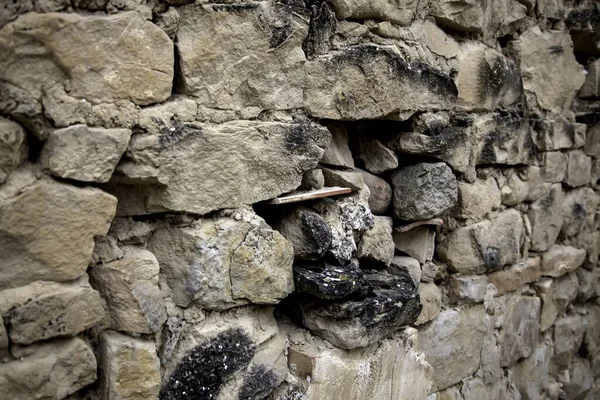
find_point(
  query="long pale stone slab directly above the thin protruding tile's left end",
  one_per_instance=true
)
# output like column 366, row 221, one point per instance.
column 201, row 167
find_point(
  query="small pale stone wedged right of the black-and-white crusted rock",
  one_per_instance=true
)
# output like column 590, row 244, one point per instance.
column 377, row 243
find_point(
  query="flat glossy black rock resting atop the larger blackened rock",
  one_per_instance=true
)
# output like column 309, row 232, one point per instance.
column 329, row 282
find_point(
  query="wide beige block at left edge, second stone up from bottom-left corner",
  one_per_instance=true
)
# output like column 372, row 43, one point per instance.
column 43, row 310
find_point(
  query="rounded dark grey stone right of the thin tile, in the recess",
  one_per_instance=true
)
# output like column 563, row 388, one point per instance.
column 423, row 190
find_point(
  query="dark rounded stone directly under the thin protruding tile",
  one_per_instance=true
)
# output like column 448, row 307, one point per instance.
column 307, row 231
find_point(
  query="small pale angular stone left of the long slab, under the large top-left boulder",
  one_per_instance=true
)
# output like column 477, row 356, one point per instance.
column 84, row 154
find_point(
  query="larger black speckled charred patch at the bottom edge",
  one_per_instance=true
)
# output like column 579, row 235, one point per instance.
column 201, row 373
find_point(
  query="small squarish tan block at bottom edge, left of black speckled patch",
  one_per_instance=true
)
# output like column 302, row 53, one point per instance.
column 129, row 367
